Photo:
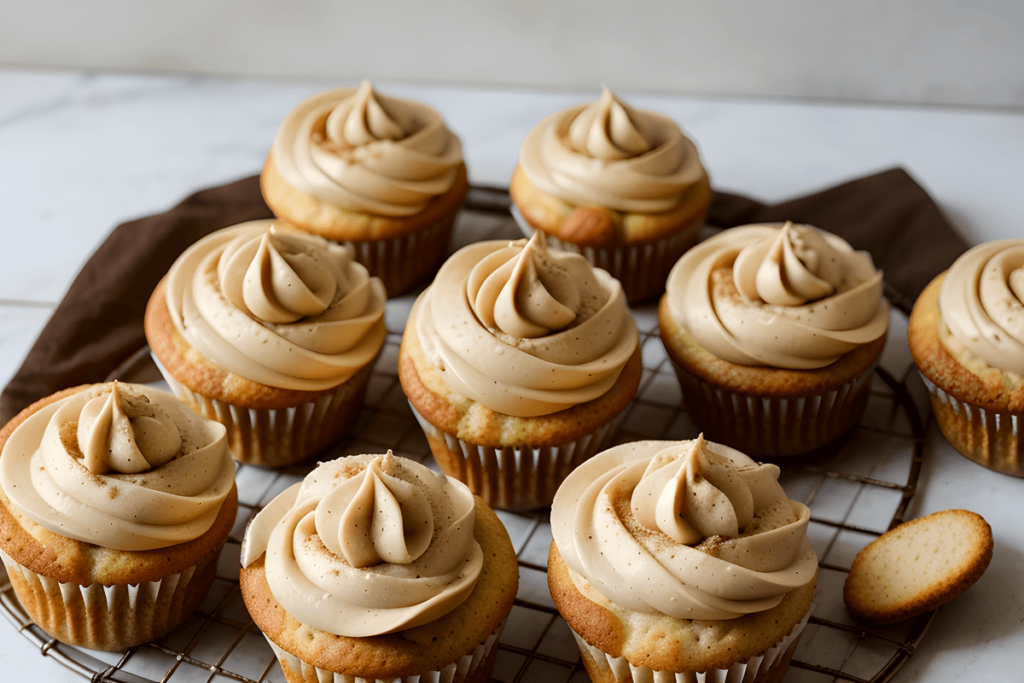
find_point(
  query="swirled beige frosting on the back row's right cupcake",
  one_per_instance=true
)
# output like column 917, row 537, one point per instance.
column 612, row 155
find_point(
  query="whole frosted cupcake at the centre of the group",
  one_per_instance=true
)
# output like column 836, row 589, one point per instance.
column 518, row 362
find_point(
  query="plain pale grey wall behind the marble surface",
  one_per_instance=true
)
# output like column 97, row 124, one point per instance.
column 912, row 52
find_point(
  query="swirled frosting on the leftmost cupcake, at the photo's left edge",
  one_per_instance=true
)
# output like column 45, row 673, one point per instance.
column 121, row 466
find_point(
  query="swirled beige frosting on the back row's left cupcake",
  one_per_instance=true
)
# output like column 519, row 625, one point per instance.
column 361, row 151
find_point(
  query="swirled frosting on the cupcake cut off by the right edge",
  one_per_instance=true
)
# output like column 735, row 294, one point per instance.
column 983, row 306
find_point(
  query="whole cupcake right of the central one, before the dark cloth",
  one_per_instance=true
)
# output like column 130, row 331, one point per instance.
column 775, row 333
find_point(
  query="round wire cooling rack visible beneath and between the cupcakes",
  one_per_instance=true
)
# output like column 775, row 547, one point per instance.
column 858, row 490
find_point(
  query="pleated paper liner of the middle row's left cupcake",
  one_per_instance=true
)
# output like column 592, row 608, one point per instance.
column 283, row 437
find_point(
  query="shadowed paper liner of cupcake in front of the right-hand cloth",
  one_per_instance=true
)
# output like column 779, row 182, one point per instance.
column 767, row 426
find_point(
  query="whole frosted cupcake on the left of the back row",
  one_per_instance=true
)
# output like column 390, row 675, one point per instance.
column 380, row 174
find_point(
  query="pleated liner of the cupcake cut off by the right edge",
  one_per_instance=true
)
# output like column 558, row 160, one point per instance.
column 990, row 439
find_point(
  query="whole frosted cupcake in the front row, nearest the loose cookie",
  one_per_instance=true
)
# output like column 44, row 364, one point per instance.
column 672, row 560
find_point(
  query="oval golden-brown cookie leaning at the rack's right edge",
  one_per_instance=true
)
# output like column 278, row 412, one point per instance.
column 918, row 567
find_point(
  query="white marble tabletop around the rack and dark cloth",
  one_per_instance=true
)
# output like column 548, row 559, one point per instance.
column 84, row 152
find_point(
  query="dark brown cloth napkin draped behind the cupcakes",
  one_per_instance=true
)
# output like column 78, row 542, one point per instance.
column 99, row 325
